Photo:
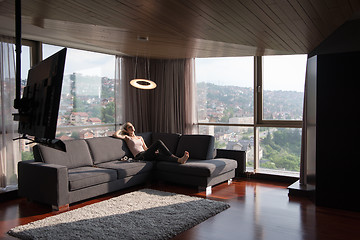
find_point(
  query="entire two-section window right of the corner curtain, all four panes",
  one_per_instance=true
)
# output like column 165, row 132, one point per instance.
column 254, row 104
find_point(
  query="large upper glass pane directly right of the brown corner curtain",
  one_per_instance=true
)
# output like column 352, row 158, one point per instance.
column 225, row 89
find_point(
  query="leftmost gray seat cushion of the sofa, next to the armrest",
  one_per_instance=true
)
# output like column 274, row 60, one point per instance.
column 83, row 177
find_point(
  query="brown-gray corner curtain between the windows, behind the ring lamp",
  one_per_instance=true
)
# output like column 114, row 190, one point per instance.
column 168, row 108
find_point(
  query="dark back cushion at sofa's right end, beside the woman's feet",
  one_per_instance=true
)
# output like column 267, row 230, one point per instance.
column 199, row 146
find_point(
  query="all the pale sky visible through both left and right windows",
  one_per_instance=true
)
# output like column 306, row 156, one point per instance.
column 280, row 72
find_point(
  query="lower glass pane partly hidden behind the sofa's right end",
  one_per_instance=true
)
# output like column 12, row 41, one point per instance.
column 233, row 138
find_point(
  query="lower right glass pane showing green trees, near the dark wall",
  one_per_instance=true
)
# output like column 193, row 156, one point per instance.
column 280, row 149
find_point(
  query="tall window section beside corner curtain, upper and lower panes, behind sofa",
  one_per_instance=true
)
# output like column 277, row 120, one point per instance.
column 225, row 102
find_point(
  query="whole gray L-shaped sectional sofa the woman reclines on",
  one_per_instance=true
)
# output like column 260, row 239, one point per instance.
column 92, row 167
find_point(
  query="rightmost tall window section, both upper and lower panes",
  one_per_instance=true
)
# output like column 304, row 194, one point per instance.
column 280, row 113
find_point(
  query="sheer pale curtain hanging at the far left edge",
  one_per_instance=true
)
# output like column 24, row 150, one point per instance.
column 9, row 149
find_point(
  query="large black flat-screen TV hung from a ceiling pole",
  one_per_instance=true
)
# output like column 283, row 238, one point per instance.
column 39, row 106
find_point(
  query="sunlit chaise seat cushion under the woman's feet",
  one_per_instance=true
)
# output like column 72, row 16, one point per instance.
column 203, row 168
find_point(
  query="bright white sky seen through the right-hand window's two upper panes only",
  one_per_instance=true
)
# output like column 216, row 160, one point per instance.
column 279, row 72
